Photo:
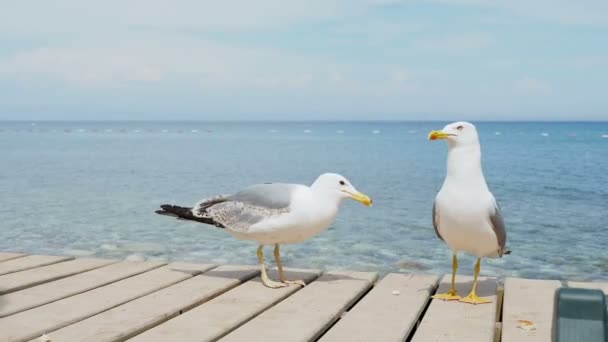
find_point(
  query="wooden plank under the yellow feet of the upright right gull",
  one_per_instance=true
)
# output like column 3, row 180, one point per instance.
column 456, row 321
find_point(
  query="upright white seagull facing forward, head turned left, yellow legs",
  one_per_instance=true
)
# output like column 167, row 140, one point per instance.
column 465, row 213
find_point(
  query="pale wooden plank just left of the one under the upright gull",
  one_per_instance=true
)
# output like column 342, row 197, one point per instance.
column 383, row 315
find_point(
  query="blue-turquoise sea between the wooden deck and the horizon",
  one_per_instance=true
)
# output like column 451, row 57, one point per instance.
column 90, row 188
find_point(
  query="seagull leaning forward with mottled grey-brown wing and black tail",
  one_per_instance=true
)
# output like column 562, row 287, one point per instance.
column 273, row 214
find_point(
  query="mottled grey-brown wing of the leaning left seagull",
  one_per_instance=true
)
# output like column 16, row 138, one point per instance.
column 247, row 207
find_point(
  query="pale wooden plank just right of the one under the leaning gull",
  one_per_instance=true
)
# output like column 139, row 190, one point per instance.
column 309, row 312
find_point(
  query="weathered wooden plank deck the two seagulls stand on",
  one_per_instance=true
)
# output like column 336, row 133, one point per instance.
column 89, row 299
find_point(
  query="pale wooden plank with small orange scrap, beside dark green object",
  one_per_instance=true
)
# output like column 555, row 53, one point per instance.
column 530, row 300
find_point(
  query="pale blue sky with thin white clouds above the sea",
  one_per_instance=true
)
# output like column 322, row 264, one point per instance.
column 301, row 60
